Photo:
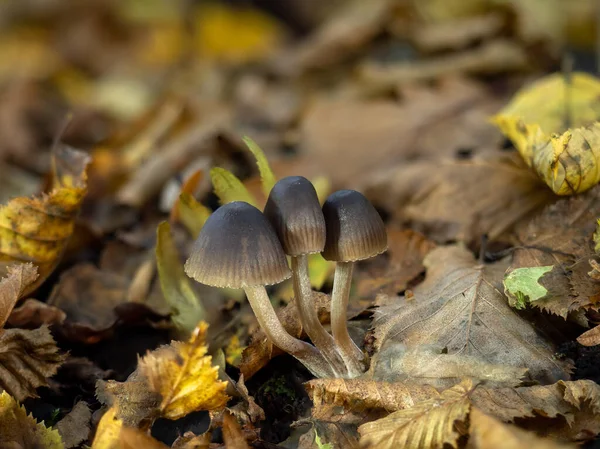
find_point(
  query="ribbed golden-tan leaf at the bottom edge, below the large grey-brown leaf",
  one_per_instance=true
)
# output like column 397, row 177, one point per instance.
column 429, row 424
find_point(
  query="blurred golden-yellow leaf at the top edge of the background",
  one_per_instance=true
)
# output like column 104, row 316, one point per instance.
column 234, row 35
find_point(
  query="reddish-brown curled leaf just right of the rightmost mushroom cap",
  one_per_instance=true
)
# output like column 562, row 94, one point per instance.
column 402, row 263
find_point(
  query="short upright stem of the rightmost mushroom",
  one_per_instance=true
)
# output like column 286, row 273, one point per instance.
column 351, row 354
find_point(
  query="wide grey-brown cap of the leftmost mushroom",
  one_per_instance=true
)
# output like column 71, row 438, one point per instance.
column 237, row 248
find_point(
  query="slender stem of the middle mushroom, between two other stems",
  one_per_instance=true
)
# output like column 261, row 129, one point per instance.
column 309, row 317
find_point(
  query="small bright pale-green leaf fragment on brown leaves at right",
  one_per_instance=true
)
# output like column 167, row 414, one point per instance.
column 522, row 287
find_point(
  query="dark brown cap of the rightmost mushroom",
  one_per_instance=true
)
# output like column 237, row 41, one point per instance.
column 355, row 231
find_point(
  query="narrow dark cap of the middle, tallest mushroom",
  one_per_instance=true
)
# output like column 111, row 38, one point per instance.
column 295, row 213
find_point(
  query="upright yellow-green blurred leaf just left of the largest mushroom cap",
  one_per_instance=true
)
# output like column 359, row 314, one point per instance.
column 187, row 307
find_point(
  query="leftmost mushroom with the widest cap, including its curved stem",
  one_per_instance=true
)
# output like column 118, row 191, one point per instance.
column 238, row 248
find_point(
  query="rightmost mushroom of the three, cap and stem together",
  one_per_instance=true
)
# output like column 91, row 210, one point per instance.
column 355, row 231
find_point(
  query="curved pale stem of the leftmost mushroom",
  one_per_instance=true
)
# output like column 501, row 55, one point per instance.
column 307, row 354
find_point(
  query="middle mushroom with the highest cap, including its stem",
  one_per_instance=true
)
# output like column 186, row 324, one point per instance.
column 294, row 211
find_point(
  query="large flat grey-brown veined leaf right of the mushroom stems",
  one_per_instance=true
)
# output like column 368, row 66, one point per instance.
column 460, row 309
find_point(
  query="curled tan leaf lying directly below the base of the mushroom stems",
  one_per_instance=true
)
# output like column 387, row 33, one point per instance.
column 356, row 400
